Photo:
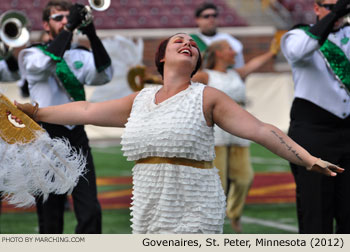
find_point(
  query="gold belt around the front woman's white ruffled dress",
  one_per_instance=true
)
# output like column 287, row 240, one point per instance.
column 176, row 161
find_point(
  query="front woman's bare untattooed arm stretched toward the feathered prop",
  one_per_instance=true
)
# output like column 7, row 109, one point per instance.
column 112, row 113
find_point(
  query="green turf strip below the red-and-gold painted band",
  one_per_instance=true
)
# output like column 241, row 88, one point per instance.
column 118, row 221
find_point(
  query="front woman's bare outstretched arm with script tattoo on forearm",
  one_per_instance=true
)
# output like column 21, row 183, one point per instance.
column 232, row 118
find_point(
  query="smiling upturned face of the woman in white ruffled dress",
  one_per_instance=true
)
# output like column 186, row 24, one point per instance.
column 182, row 49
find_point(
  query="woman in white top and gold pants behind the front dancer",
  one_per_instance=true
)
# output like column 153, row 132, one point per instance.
column 232, row 152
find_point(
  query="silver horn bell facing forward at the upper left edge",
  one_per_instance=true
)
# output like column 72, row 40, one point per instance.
column 14, row 31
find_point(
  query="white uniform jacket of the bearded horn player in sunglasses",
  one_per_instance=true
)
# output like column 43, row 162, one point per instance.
column 39, row 70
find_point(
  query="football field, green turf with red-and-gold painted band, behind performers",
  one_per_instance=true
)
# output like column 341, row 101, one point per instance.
column 270, row 207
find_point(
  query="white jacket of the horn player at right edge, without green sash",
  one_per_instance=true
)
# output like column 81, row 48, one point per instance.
column 313, row 78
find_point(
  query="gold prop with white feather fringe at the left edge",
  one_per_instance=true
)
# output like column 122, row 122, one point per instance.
column 31, row 163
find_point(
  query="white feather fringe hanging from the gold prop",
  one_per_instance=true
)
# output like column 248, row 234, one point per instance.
column 43, row 166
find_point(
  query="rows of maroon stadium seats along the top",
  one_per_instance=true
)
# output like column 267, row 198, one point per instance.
column 128, row 14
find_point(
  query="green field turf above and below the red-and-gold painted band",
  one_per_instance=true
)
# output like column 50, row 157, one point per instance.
column 110, row 162
